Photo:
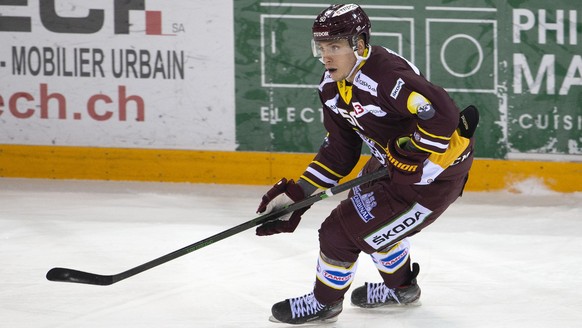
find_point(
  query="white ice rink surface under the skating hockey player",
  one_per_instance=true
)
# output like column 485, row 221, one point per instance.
column 504, row 259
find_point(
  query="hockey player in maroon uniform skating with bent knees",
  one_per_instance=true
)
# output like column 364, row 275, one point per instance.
column 372, row 95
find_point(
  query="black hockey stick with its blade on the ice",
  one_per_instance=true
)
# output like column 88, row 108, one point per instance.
column 81, row 277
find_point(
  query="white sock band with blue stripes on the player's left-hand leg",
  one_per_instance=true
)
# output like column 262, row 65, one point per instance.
column 335, row 274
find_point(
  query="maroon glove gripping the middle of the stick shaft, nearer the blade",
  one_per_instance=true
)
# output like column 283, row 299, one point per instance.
column 283, row 193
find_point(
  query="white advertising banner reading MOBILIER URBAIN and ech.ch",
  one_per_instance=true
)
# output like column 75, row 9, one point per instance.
column 117, row 73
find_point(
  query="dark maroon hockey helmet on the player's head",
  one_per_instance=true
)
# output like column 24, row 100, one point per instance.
column 345, row 21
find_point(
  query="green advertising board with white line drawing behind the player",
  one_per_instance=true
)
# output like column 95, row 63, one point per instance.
column 518, row 61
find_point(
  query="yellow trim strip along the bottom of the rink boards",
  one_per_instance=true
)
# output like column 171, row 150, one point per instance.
column 249, row 168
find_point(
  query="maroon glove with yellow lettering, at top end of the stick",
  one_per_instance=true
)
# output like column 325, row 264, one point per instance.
column 405, row 166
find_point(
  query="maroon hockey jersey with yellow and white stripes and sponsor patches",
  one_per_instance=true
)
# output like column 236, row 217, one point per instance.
column 388, row 99
